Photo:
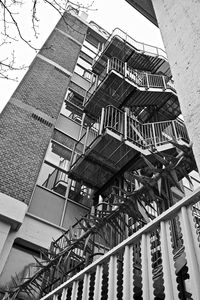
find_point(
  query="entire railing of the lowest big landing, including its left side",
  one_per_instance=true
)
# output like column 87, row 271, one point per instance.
column 145, row 136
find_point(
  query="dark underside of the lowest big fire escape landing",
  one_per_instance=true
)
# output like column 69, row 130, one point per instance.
column 105, row 157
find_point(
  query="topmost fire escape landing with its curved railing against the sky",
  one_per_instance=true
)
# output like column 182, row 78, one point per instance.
column 138, row 55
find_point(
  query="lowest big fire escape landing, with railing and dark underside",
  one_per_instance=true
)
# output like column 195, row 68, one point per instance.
column 119, row 140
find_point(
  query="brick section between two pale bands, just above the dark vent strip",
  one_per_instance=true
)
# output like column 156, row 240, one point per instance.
column 43, row 88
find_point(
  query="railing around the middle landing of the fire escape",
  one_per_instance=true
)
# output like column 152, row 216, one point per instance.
column 141, row 79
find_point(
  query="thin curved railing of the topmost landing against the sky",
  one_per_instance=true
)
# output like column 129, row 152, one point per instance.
column 141, row 47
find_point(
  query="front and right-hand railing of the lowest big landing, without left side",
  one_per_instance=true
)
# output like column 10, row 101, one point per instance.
column 143, row 135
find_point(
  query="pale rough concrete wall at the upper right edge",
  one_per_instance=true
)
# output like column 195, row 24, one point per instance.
column 180, row 28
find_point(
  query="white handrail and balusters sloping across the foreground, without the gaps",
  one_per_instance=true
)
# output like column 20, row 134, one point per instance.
column 139, row 247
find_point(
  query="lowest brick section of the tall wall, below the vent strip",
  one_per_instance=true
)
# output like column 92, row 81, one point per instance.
column 23, row 143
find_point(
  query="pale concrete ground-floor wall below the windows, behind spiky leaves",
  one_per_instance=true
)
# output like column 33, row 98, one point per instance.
column 33, row 234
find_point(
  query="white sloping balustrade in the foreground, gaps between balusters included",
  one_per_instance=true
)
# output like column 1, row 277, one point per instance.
column 127, row 271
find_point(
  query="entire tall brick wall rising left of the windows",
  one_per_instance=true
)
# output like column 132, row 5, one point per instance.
column 25, row 123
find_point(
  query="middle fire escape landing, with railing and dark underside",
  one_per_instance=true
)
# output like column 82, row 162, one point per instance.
column 121, row 85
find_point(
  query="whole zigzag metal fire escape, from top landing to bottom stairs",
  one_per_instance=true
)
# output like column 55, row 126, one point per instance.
column 133, row 154
